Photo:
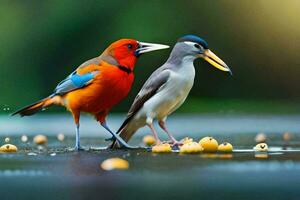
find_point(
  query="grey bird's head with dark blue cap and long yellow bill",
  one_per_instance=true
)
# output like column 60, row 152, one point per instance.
column 192, row 46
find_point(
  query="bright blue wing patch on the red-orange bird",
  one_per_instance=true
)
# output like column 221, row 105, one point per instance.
column 74, row 81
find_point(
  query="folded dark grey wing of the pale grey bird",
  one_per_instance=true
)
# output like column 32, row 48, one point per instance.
column 156, row 81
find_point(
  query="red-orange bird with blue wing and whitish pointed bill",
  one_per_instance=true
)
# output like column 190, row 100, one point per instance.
column 97, row 85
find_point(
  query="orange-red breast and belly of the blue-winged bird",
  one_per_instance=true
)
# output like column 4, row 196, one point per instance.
column 108, row 88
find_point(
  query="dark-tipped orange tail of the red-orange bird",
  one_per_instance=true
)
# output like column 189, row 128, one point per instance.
column 36, row 107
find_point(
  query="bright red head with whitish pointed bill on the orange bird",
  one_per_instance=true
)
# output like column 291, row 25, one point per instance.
column 126, row 51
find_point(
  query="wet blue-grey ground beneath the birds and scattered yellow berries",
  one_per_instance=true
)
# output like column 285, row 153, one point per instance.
column 52, row 172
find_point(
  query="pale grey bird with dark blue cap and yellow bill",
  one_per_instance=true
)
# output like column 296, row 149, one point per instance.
column 167, row 88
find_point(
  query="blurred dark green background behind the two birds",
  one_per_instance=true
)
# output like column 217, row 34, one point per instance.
column 43, row 41
